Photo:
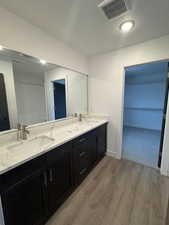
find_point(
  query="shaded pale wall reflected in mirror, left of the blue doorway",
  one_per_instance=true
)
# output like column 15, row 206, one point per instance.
column 30, row 98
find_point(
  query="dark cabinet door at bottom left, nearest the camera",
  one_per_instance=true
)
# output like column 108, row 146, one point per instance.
column 24, row 202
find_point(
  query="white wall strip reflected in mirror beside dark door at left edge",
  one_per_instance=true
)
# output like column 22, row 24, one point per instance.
column 6, row 69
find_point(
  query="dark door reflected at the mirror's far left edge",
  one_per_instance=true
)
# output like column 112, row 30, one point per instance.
column 4, row 117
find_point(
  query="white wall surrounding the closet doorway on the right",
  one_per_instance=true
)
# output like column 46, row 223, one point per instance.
column 106, row 88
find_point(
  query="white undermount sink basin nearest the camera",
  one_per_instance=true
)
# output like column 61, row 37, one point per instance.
column 29, row 146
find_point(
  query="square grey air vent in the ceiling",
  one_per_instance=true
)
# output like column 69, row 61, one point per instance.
column 114, row 8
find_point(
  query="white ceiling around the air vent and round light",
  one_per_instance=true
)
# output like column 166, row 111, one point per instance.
column 82, row 25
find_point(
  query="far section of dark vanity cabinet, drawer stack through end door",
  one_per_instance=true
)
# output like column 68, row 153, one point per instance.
column 88, row 149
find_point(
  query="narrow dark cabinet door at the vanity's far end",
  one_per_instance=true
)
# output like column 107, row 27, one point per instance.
column 101, row 141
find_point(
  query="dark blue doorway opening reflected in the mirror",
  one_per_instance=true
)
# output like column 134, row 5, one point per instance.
column 59, row 89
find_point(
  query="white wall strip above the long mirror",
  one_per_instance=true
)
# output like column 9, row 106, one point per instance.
column 19, row 35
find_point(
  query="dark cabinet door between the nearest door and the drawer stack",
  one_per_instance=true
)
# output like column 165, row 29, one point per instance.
column 59, row 176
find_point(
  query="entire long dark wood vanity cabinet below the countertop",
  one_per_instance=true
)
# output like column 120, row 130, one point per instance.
column 32, row 192
